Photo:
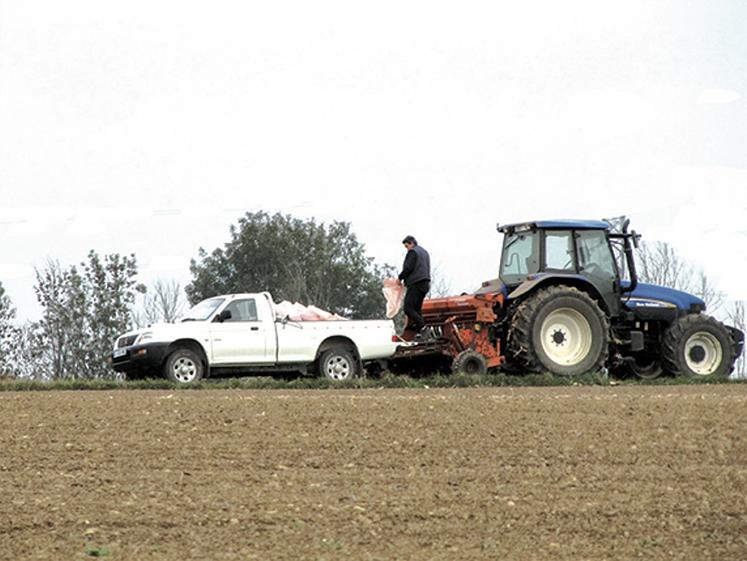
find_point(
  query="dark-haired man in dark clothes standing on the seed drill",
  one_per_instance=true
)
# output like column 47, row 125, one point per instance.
column 416, row 276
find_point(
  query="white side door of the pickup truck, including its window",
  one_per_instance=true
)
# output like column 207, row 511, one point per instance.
column 241, row 338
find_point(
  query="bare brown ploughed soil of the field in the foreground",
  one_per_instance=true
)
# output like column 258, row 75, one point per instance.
column 538, row 473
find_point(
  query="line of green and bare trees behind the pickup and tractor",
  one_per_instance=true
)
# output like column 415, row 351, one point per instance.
column 86, row 306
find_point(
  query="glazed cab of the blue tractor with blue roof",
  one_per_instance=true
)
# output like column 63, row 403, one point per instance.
column 575, row 252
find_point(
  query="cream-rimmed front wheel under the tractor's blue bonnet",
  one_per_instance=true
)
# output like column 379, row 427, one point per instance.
column 698, row 346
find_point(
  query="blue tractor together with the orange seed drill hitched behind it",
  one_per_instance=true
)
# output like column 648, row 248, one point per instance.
column 561, row 305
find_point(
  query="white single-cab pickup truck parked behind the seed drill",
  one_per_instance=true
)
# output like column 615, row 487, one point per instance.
column 242, row 332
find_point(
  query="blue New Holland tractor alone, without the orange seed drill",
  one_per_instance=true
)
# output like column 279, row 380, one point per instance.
column 569, row 311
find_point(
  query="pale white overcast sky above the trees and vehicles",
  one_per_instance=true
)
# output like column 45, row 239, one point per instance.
column 150, row 127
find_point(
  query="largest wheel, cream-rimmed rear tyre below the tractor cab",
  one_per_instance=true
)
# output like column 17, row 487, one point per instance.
column 560, row 330
